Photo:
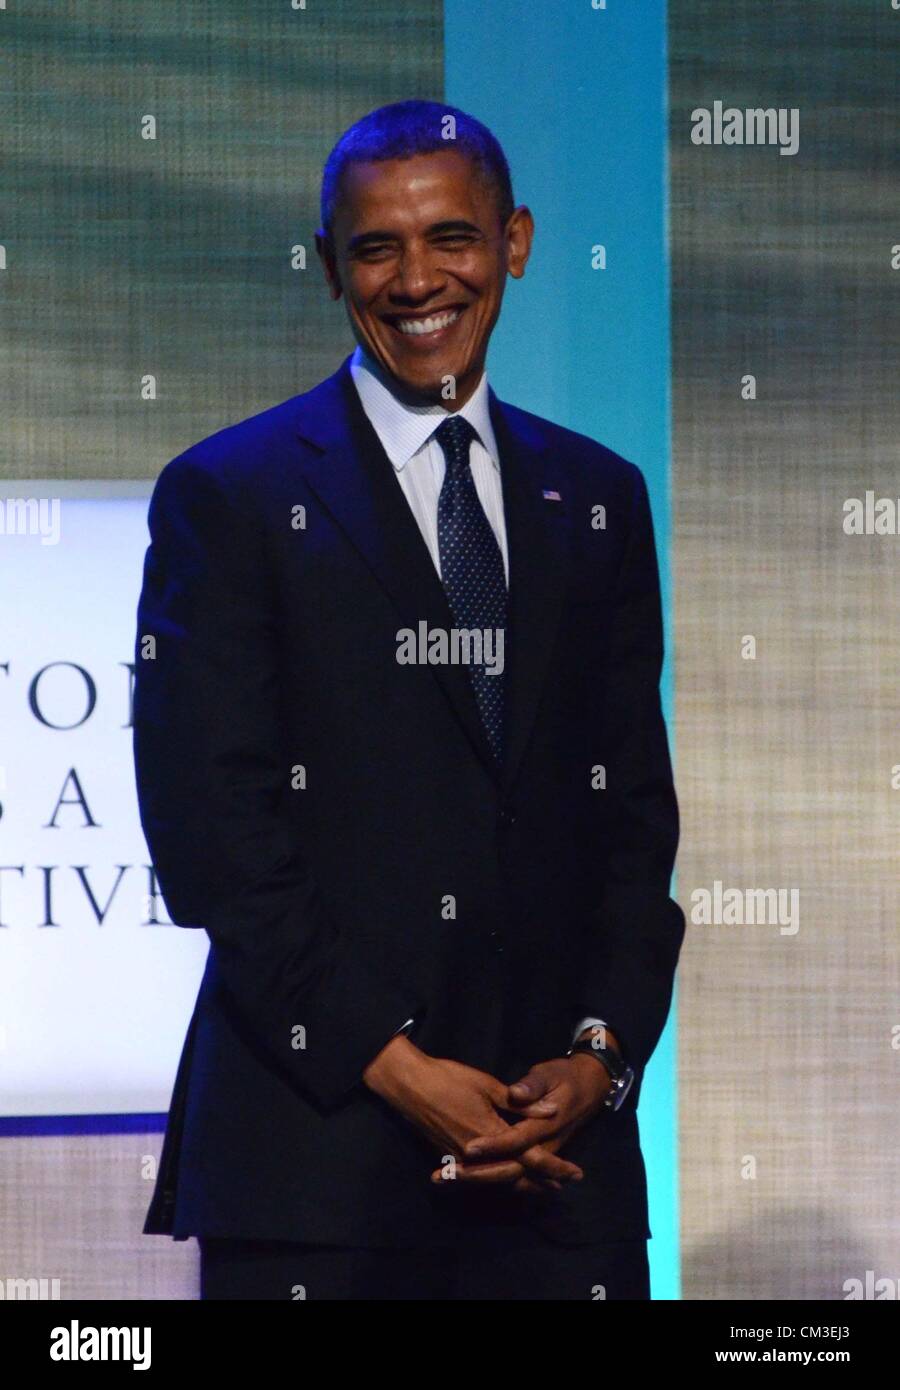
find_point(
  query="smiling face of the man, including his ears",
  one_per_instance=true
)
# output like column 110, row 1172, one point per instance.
column 421, row 248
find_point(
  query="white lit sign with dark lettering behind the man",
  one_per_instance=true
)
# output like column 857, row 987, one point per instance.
column 97, row 986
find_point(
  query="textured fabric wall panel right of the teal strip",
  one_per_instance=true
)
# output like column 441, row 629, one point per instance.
column 782, row 270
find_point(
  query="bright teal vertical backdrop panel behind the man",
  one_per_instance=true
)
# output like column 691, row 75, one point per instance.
column 577, row 94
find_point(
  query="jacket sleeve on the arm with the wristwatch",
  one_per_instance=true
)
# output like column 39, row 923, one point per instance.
column 636, row 928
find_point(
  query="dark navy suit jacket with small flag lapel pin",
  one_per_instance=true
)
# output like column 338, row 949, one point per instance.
column 314, row 806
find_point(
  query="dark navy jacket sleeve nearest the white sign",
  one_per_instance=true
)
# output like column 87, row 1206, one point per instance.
column 214, row 786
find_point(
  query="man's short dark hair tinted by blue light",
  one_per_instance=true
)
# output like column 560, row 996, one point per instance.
column 405, row 129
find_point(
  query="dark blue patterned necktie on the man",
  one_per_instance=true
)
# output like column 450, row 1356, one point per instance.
column 472, row 572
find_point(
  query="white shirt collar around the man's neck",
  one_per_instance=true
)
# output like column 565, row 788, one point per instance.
column 403, row 429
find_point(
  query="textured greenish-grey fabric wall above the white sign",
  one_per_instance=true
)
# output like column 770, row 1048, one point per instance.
column 170, row 258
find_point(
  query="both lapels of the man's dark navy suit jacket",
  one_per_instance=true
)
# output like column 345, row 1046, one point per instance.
column 354, row 479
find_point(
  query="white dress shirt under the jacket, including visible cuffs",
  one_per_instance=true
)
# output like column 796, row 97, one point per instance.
column 407, row 434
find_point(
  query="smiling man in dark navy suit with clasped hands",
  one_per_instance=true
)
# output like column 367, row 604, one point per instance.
column 401, row 754
